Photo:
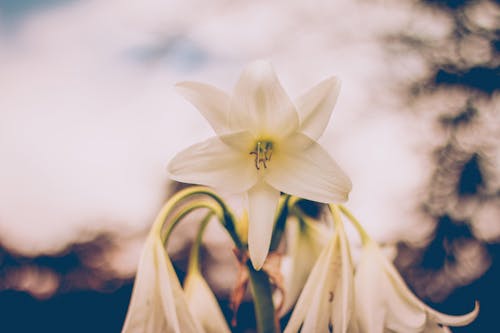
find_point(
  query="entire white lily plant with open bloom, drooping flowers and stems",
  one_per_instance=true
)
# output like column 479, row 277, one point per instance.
column 265, row 144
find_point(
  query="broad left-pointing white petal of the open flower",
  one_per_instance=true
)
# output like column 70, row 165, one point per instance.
column 214, row 163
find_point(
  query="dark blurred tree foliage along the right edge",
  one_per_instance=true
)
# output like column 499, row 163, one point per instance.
column 458, row 264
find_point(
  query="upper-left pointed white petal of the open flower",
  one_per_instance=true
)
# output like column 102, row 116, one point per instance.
column 212, row 103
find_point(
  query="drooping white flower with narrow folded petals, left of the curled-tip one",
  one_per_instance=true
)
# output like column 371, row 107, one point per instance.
column 326, row 302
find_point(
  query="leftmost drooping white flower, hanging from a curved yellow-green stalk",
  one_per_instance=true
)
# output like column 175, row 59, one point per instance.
column 158, row 302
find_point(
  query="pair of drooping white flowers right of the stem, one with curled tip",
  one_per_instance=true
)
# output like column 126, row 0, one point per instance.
column 373, row 297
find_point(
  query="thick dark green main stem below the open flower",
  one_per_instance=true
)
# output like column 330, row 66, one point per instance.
column 263, row 301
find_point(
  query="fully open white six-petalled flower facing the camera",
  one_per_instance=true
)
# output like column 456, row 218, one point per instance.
column 264, row 144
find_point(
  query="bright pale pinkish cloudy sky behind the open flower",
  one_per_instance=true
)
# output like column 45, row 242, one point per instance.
column 86, row 131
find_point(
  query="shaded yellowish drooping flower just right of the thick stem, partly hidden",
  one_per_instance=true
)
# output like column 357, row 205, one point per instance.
column 305, row 241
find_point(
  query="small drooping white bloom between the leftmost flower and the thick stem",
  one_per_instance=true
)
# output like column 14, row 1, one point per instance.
column 204, row 305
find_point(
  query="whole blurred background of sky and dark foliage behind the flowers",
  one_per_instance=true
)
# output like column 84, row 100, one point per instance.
column 89, row 120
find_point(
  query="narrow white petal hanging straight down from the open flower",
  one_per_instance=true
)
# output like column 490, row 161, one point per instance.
column 262, row 204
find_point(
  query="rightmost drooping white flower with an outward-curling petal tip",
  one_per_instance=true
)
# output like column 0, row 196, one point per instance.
column 384, row 303
